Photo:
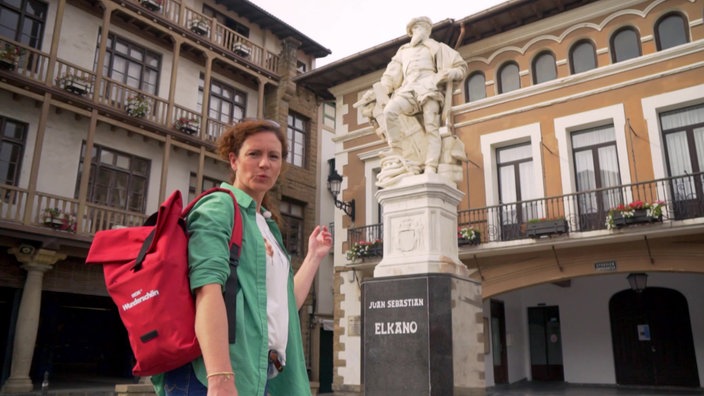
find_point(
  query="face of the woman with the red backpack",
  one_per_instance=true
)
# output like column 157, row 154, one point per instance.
column 258, row 164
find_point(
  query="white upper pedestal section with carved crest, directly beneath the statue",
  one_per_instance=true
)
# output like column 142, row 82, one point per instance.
column 420, row 227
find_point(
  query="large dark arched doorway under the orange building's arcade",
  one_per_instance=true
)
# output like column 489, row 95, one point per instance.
column 652, row 338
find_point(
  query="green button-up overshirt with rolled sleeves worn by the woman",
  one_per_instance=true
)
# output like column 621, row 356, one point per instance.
column 210, row 225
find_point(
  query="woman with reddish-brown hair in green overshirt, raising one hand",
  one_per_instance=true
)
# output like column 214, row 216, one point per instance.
column 270, row 296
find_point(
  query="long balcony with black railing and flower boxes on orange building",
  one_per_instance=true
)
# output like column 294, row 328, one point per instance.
column 675, row 200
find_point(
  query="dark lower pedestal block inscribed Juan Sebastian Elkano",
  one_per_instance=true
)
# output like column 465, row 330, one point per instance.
column 423, row 335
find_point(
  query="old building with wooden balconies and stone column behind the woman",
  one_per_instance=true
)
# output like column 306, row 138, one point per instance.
column 106, row 107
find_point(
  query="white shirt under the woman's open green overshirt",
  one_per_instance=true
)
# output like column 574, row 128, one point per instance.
column 277, row 271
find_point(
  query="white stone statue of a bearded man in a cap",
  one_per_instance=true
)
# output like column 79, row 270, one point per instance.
column 409, row 103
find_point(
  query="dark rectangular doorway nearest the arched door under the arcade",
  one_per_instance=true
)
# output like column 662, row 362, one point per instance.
column 545, row 344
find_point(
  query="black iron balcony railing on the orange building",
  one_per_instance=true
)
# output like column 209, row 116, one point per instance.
column 682, row 197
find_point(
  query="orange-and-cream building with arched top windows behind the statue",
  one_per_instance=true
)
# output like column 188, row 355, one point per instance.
column 584, row 131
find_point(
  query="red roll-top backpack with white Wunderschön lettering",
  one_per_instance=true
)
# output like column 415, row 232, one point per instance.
column 146, row 275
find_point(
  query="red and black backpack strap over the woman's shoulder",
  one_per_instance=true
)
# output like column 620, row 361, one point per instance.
column 232, row 285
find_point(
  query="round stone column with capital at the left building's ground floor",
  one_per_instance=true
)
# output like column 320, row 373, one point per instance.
column 36, row 262
